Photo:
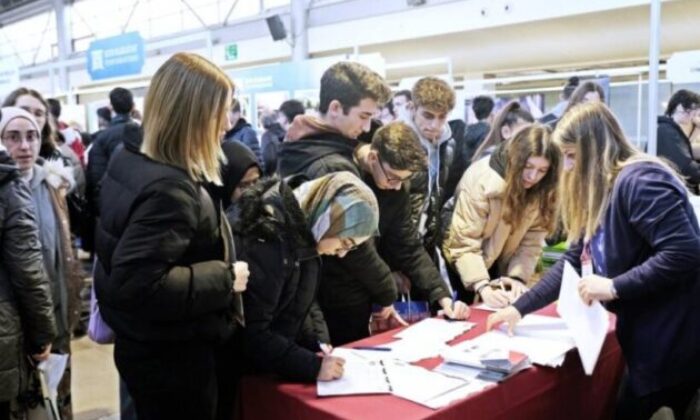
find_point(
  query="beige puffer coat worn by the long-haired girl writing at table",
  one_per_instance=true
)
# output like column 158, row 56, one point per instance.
column 478, row 237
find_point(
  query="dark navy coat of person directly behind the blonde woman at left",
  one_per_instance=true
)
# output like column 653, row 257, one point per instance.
column 102, row 150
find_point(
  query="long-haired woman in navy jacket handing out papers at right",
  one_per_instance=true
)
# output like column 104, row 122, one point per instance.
column 635, row 238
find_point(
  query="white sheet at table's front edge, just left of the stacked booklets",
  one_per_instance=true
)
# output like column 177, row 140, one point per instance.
column 417, row 384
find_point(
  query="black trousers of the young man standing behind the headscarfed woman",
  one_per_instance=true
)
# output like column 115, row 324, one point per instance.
column 347, row 324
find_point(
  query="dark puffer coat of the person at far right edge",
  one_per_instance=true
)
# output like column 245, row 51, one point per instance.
column 674, row 145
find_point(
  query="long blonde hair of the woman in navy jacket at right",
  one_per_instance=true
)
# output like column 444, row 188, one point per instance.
column 602, row 151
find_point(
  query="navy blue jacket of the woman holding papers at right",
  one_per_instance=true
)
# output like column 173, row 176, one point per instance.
column 652, row 254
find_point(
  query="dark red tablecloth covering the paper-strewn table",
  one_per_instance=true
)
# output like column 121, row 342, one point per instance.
column 537, row 393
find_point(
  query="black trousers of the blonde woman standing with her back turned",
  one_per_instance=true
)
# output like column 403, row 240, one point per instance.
column 177, row 380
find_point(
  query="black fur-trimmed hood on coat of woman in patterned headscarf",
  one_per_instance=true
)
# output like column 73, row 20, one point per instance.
column 268, row 210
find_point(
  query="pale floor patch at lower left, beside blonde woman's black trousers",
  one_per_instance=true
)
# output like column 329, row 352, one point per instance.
column 95, row 381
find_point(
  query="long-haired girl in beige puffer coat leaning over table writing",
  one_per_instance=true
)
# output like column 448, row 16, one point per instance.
column 505, row 205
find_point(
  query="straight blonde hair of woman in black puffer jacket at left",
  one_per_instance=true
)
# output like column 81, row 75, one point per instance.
column 184, row 114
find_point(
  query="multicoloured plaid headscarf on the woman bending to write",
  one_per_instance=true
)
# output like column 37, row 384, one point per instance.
column 338, row 205
